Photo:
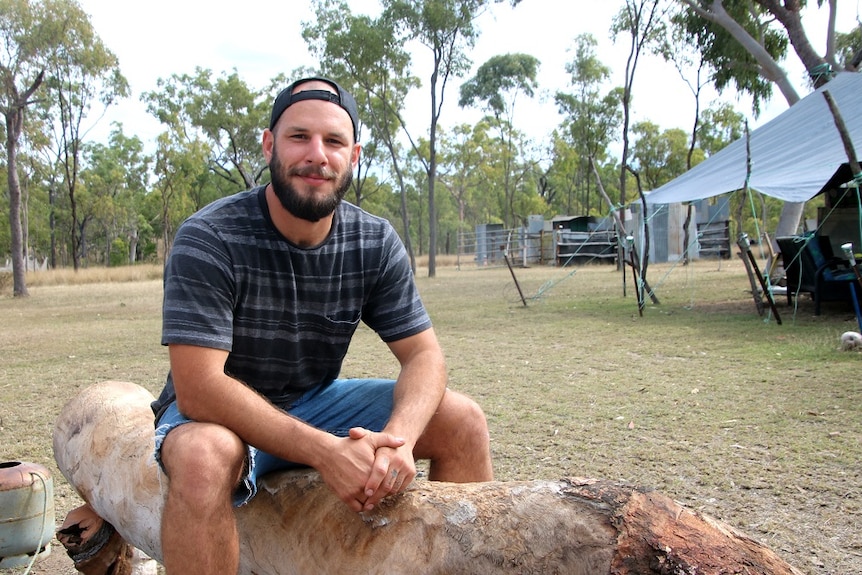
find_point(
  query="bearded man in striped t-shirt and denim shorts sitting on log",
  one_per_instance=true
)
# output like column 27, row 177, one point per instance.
column 263, row 292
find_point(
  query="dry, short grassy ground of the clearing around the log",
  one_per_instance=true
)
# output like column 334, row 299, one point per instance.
column 756, row 423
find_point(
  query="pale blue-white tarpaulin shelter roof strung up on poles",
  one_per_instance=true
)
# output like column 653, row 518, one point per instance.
column 792, row 156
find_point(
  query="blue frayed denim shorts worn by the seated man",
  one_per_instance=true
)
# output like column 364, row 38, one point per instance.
column 335, row 408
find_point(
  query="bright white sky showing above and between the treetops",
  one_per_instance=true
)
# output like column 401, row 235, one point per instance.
column 261, row 38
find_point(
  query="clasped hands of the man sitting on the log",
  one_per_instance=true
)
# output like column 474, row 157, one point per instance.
column 367, row 466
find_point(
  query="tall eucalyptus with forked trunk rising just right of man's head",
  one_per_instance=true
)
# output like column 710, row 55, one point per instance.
column 445, row 27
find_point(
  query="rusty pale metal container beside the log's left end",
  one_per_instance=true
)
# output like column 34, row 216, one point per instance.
column 26, row 513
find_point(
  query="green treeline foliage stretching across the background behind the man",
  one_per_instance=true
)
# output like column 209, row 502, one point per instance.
column 133, row 195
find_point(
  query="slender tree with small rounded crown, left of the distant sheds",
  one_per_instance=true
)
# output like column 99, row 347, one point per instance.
column 496, row 87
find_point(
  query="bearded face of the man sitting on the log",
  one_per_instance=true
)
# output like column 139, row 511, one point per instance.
column 311, row 156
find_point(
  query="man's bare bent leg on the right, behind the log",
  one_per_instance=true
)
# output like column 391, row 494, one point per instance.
column 457, row 441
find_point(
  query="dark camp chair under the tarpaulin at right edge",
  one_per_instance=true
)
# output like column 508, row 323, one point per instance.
column 811, row 267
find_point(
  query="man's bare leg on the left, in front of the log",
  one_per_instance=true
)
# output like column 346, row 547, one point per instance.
column 199, row 534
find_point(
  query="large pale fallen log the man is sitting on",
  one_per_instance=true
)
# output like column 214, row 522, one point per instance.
column 295, row 525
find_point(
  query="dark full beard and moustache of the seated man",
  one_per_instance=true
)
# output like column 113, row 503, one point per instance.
column 311, row 207
